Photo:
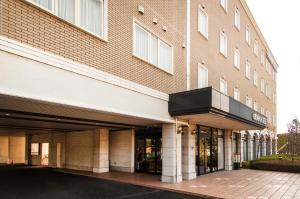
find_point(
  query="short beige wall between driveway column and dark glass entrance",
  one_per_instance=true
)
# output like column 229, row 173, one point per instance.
column 121, row 150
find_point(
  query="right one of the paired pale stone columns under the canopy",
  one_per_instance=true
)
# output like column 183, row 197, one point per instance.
column 188, row 153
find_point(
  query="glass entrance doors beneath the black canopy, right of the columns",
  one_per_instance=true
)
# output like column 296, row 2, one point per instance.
column 209, row 150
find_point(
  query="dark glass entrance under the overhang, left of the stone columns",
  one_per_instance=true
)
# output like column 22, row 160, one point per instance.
column 148, row 147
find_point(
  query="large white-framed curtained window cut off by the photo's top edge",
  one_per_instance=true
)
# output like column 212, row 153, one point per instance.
column 89, row 15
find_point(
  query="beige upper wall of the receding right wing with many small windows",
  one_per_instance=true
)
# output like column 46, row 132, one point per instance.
column 219, row 66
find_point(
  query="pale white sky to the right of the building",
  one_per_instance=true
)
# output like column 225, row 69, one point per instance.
column 279, row 21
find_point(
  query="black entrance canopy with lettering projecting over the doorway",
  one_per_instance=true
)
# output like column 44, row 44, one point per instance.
column 209, row 107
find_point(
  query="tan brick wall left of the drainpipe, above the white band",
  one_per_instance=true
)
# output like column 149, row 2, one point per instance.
column 115, row 56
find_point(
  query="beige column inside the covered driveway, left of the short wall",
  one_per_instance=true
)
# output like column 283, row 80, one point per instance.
column 101, row 148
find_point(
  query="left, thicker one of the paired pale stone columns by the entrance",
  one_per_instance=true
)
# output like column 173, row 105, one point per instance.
column 171, row 162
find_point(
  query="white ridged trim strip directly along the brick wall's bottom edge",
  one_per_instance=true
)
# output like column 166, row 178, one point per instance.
column 39, row 55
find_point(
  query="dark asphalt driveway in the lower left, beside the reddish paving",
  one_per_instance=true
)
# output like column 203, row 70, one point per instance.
column 41, row 183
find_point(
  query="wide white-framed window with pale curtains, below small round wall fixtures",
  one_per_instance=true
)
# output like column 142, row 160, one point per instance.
column 151, row 49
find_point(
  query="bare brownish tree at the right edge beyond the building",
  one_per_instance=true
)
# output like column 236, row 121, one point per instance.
column 293, row 140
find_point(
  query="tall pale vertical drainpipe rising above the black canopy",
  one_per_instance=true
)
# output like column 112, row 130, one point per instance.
column 188, row 44
